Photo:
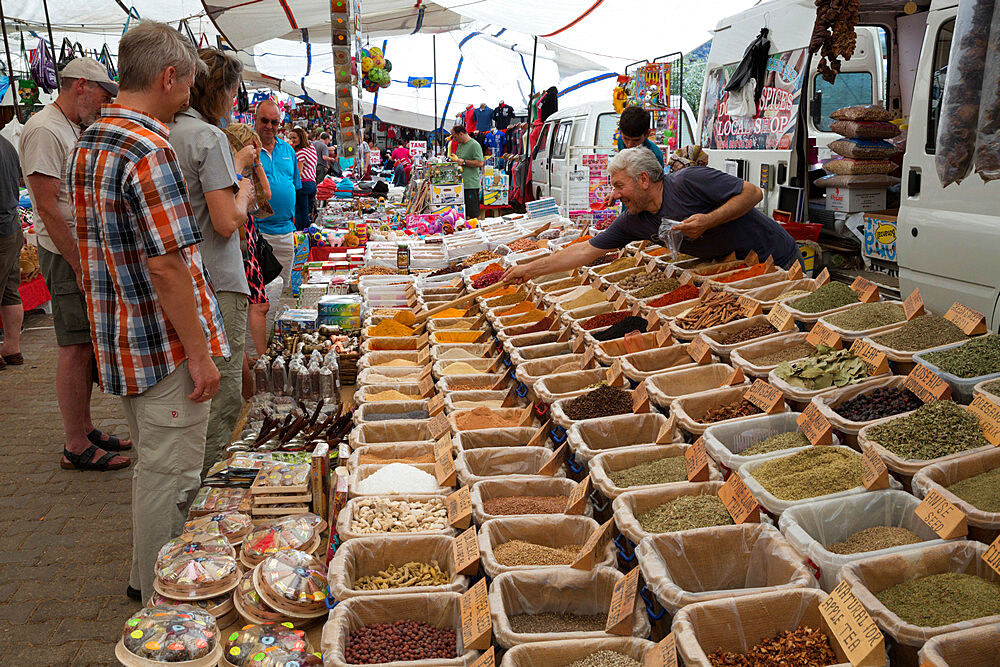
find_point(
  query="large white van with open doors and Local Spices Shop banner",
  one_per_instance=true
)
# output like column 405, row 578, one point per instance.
column 946, row 238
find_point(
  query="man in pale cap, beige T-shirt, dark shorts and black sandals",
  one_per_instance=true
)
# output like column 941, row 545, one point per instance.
column 46, row 142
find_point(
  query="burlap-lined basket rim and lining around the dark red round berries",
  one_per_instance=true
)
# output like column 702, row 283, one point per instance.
column 441, row 610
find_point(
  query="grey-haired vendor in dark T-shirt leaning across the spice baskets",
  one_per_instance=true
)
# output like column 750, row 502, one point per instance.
column 716, row 213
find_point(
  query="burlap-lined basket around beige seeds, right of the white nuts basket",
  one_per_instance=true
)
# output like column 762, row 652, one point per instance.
column 553, row 530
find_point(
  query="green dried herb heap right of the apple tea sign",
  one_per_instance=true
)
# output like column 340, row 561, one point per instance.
column 942, row 599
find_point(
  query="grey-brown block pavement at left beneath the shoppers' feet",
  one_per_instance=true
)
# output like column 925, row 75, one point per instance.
column 65, row 535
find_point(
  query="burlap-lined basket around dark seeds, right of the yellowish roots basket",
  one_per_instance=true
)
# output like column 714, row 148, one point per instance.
column 560, row 591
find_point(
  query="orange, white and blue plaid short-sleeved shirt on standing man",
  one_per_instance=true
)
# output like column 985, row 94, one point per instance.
column 131, row 204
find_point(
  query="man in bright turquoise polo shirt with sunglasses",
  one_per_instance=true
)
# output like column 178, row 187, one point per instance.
column 278, row 159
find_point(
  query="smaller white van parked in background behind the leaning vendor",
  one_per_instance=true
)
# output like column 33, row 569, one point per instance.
column 573, row 132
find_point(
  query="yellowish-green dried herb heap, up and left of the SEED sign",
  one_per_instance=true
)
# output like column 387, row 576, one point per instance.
column 816, row 471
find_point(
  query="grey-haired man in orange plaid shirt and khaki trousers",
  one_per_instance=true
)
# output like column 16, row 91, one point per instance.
column 154, row 319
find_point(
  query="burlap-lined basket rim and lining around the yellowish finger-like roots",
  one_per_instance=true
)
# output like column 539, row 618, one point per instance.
column 367, row 556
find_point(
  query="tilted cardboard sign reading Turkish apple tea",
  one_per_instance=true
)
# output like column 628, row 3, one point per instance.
column 852, row 627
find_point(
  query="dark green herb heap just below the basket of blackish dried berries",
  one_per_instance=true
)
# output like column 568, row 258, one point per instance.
column 935, row 429
